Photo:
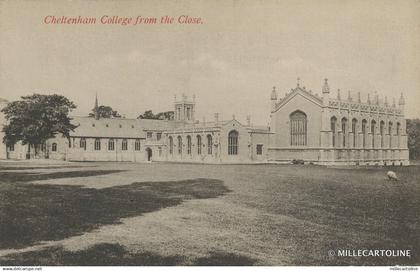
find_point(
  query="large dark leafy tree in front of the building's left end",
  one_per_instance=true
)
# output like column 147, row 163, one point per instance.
column 36, row 118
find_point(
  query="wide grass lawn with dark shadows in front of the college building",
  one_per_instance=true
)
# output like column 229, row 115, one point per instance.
column 182, row 214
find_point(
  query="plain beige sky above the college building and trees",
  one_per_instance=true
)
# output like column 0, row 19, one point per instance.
column 230, row 62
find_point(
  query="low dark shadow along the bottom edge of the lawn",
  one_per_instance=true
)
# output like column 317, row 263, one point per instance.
column 106, row 254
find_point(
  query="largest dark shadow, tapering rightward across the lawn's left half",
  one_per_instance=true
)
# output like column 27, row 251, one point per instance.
column 30, row 213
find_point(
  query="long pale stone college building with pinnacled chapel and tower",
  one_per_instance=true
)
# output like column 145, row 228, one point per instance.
column 304, row 127
